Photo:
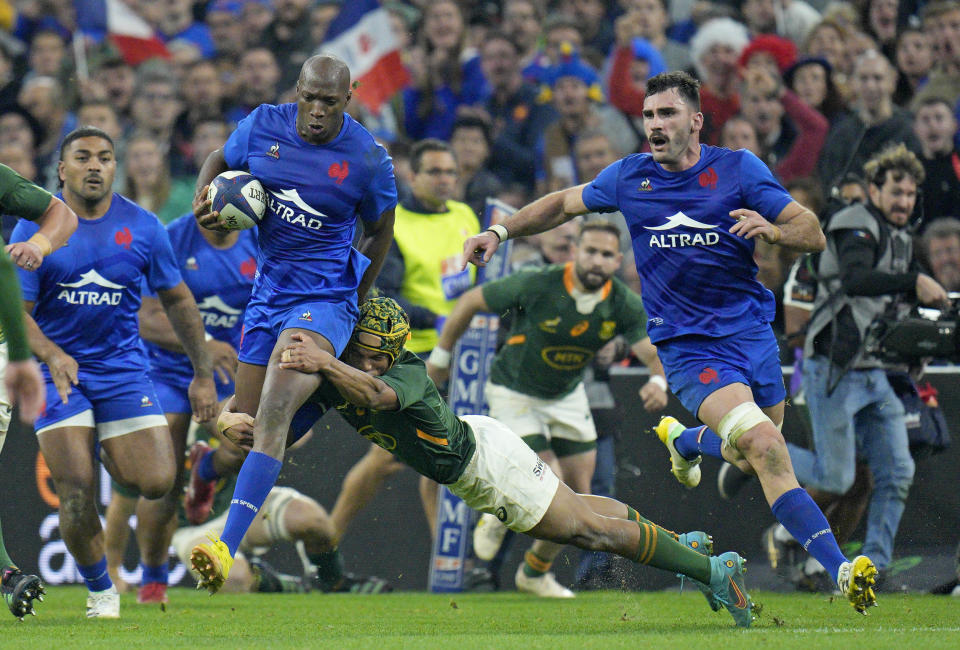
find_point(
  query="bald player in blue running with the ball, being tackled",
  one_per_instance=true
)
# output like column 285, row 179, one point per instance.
column 323, row 172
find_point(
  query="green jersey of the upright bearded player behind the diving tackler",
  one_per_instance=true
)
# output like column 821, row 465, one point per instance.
column 550, row 342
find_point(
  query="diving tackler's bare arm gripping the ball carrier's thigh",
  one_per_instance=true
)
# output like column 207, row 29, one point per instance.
column 356, row 386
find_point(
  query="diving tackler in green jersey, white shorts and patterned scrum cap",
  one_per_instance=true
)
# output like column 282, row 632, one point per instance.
column 384, row 392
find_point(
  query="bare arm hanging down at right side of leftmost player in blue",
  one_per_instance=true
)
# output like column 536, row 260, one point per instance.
column 185, row 319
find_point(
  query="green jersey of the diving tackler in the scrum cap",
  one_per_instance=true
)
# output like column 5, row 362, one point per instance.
column 423, row 433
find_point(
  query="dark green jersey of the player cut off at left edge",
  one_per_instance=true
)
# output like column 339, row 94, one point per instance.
column 19, row 197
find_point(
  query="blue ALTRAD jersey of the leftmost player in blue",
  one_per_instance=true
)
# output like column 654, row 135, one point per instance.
column 87, row 293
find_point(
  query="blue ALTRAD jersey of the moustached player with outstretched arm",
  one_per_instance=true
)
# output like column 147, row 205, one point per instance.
column 697, row 277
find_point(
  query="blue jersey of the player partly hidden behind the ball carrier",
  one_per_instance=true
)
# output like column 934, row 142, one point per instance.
column 220, row 280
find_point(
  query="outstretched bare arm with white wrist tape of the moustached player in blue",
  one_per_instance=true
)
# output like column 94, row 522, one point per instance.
column 543, row 214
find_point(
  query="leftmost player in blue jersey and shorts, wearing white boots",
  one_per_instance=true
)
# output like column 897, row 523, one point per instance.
column 81, row 320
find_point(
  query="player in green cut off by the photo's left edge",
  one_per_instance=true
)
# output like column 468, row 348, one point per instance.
column 20, row 381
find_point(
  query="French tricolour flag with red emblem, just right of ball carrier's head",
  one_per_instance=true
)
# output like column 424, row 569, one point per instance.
column 361, row 36
